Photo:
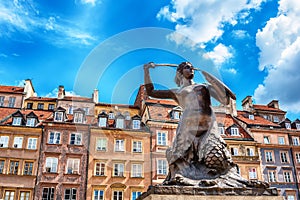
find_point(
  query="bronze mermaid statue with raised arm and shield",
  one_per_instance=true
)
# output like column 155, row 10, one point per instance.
column 199, row 156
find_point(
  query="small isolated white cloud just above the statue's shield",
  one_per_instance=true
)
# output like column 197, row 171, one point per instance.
column 220, row 54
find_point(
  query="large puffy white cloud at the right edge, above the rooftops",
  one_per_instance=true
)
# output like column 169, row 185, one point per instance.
column 279, row 42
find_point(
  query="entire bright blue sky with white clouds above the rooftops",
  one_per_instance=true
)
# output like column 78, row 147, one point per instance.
column 252, row 45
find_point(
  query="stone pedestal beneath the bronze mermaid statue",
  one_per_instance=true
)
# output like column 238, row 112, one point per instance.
column 209, row 193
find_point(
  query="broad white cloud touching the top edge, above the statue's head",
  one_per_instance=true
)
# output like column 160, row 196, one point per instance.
column 202, row 21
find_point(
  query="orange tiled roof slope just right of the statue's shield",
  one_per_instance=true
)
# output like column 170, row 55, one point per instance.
column 257, row 121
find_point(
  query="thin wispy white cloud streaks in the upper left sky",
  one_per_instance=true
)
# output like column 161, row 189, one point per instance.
column 23, row 17
